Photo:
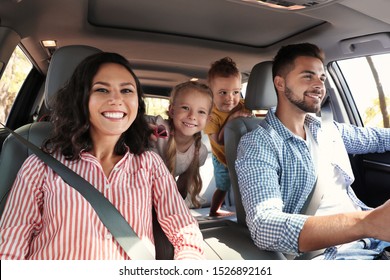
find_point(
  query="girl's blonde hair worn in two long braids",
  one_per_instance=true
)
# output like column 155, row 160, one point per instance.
column 194, row 180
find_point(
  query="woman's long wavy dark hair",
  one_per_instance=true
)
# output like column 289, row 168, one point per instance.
column 70, row 114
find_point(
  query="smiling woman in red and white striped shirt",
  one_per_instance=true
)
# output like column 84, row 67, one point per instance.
column 99, row 132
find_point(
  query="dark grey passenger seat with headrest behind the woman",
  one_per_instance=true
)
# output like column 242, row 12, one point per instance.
column 62, row 65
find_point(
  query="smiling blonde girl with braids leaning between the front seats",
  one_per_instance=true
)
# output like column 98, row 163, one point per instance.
column 179, row 138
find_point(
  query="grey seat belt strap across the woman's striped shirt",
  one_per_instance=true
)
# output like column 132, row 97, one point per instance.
column 108, row 214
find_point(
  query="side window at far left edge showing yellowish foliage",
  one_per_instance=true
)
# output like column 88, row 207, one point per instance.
column 12, row 80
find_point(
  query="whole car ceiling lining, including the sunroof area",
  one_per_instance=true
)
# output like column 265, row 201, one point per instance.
column 185, row 50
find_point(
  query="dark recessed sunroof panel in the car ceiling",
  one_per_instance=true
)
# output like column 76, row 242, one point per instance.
column 212, row 23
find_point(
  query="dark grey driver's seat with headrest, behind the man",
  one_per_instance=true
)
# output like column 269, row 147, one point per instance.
column 260, row 95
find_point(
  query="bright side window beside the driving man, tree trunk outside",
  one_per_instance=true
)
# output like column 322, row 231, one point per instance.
column 367, row 79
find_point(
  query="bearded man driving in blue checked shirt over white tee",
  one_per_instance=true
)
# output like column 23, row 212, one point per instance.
column 279, row 162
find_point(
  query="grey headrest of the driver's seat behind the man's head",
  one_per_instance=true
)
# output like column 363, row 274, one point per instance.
column 260, row 91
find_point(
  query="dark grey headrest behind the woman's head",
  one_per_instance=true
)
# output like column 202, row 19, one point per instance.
column 62, row 65
